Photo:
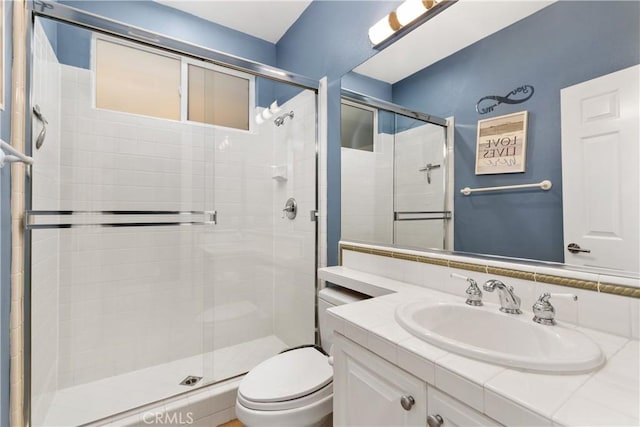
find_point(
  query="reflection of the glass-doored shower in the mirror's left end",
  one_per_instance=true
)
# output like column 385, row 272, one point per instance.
column 388, row 195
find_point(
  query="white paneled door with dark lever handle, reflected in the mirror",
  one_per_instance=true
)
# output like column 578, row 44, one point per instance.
column 600, row 178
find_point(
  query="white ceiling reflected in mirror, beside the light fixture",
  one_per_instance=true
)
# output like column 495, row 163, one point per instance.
column 457, row 27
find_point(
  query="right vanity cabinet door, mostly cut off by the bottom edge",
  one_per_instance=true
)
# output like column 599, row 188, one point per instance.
column 454, row 413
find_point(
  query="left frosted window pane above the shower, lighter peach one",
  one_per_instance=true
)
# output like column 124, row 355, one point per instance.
column 137, row 81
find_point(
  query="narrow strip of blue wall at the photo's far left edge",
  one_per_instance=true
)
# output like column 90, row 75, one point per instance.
column 5, row 223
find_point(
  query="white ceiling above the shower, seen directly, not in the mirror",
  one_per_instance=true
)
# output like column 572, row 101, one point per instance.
column 265, row 19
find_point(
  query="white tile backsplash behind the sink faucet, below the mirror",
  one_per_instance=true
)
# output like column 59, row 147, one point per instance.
column 609, row 313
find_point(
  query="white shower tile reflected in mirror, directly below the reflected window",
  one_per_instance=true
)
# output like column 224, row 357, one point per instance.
column 367, row 192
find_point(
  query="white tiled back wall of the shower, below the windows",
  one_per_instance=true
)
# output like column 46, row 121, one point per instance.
column 130, row 298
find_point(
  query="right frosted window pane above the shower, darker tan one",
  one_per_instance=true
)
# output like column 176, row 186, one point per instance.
column 218, row 98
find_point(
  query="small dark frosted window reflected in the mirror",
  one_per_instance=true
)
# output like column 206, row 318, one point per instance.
column 356, row 129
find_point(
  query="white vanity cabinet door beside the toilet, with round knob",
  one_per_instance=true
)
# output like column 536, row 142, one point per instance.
column 368, row 390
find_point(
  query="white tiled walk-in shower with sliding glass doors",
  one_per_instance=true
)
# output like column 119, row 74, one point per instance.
column 161, row 259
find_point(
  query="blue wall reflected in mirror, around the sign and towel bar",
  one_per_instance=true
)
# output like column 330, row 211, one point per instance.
column 563, row 44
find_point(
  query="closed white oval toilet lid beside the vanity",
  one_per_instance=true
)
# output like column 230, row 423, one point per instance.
column 289, row 375
